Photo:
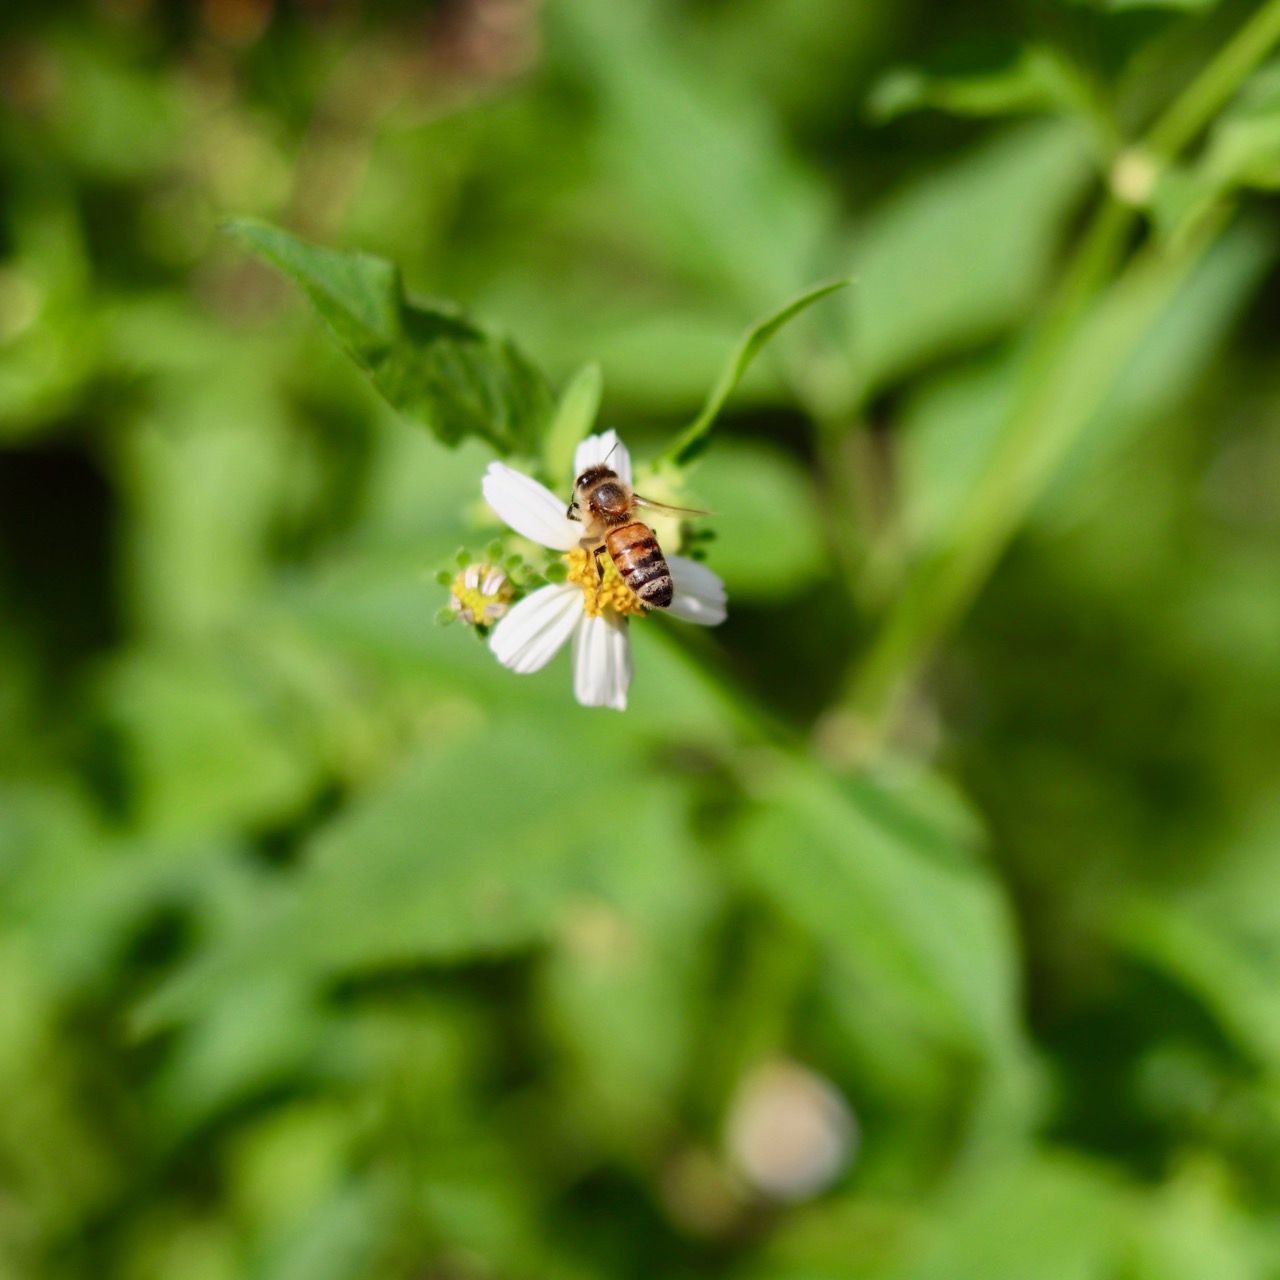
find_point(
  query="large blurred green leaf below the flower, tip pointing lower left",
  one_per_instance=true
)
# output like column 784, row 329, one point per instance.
column 470, row 851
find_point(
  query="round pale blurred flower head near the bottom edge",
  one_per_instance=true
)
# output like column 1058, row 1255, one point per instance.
column 790, row 1133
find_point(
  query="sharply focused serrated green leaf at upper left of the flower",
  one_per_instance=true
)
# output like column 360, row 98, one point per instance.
column 429, row 363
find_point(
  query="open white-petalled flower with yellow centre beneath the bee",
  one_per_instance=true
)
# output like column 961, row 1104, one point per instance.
column 589, row 610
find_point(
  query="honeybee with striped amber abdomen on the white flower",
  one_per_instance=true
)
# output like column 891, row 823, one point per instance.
column 607, row 505
